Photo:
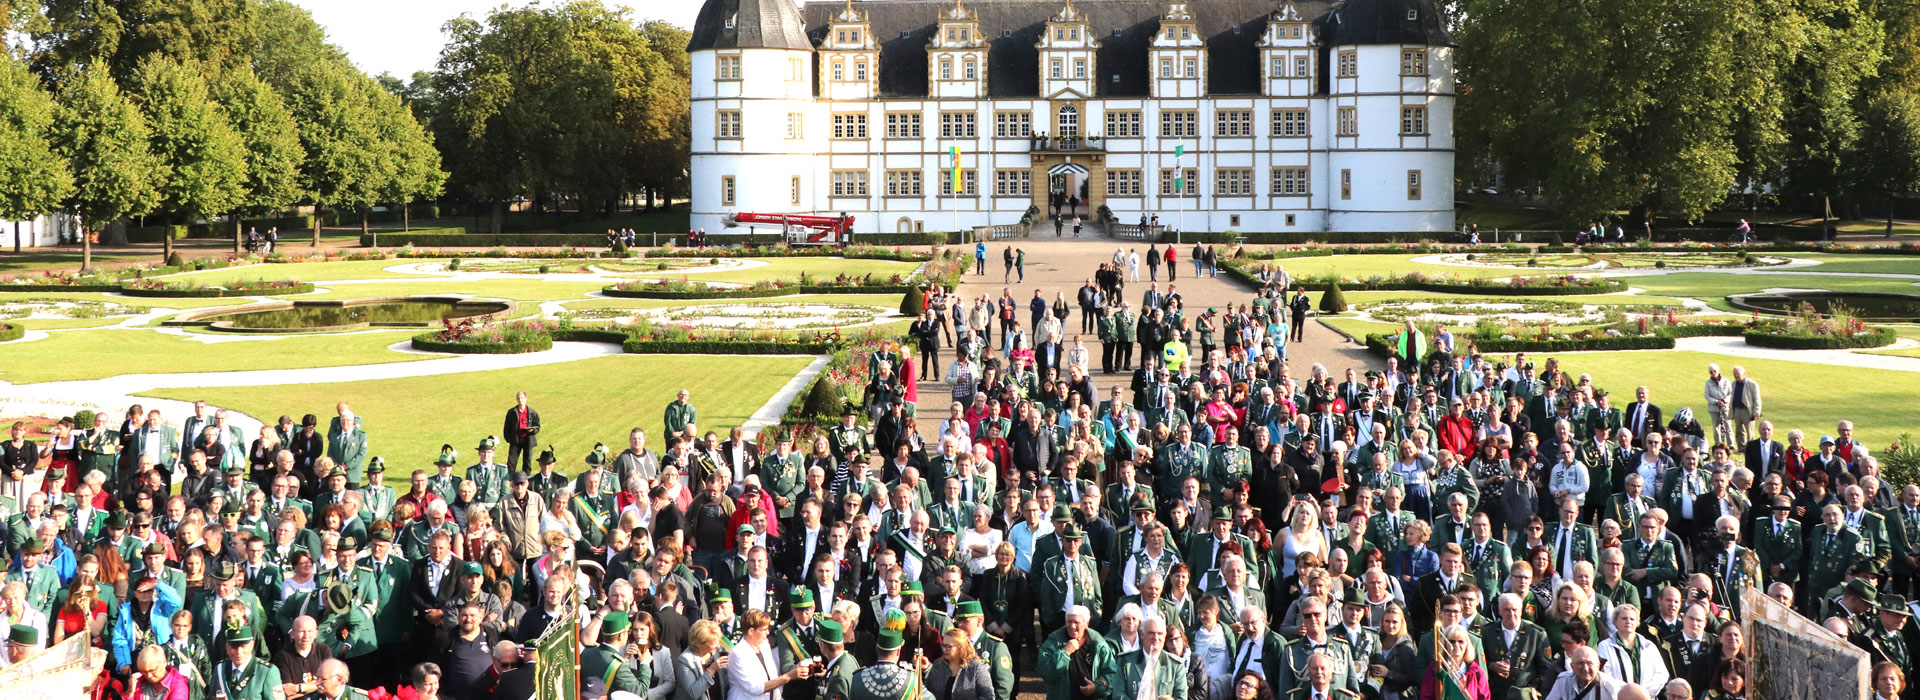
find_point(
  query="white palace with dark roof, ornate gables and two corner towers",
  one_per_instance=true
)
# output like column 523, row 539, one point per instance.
column 1249, row 116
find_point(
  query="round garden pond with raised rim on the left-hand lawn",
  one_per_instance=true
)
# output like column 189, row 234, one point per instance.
column 277, row 317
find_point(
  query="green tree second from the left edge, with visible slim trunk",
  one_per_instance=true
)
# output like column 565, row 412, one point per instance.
column 105, row 141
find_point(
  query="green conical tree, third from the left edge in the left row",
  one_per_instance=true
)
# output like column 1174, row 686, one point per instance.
column 203, row 152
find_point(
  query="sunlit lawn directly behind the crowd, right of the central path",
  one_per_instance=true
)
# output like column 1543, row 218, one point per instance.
column 1798, row 394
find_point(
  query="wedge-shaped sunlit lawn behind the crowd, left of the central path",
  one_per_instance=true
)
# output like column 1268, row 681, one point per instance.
column 581, row 404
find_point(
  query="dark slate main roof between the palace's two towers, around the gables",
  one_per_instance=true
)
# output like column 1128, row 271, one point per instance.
column 1013, row 28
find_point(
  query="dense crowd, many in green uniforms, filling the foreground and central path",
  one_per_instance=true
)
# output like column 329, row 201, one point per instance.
column 1218, row 528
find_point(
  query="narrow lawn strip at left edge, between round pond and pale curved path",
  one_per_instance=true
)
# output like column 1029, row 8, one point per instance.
column 101, row 354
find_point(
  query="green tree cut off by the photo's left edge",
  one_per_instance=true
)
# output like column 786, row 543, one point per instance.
column 34, row 179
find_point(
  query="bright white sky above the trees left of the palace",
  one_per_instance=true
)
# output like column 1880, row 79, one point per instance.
column 404, row 35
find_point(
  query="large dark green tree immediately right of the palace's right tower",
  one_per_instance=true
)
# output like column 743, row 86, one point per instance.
column 1627, row 103
